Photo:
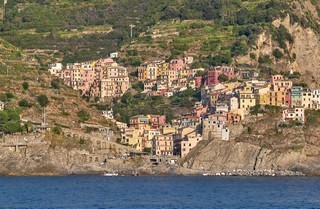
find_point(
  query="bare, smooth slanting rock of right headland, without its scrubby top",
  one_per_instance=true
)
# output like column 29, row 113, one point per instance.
column 221, row 156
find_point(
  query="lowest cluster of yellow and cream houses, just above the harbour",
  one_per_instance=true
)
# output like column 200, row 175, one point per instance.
column 151, row 133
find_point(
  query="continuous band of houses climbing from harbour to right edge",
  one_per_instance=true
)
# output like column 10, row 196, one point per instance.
column 222, row 105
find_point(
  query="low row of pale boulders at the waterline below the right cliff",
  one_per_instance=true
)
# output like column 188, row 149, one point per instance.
column 240, row 172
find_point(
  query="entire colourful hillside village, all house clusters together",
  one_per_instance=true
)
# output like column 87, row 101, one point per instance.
column 223, row 105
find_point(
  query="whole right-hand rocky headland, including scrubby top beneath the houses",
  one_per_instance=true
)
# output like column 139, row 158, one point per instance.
column 265, row 147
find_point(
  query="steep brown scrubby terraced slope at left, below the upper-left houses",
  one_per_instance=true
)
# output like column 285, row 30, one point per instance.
column 17, row 68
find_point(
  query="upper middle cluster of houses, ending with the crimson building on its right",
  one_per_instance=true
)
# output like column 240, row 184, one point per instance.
column 162, row 78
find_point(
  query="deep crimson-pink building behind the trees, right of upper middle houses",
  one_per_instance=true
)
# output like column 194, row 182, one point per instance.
column 213, row 74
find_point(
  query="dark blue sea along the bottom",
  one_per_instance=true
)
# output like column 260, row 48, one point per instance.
column 159, row 192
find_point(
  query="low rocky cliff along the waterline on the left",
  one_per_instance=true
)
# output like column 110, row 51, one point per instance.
column 41, row 159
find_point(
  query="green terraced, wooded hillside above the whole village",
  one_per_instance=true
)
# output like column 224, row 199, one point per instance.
column 87, row 30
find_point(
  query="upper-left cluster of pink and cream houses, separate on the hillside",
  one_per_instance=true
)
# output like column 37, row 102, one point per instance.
column 102, row 78
